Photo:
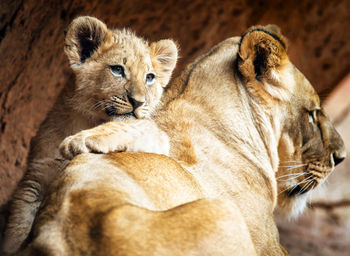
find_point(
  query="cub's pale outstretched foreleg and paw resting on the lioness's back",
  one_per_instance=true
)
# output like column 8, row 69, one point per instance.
column 130, row 136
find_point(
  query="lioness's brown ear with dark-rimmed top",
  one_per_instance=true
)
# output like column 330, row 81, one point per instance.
column 262, row 49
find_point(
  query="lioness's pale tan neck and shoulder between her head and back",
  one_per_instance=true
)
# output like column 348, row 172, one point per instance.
column 234, row 157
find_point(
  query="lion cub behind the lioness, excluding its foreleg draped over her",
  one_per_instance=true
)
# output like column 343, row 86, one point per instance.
column 118, row 77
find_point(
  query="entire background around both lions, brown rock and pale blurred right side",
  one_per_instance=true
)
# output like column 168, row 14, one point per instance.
column 34, row 69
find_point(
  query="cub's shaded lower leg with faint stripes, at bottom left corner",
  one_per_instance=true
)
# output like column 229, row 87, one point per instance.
column 26, row 201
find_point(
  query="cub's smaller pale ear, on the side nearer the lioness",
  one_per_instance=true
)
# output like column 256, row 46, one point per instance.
column 164, row 57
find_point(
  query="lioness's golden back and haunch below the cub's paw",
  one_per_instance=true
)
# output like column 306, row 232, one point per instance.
column 133, row 204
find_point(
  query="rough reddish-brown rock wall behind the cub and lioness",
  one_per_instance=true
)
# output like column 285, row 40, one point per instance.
column 34, row 69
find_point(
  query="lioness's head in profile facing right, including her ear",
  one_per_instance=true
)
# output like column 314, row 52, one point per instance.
column 308, row 146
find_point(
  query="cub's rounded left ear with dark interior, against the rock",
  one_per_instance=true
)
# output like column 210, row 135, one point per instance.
column 84, row 36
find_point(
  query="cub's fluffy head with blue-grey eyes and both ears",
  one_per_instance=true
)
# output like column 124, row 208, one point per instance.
column 117, row 74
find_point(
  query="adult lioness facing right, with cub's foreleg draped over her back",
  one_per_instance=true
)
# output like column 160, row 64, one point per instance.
column 231, row 117
